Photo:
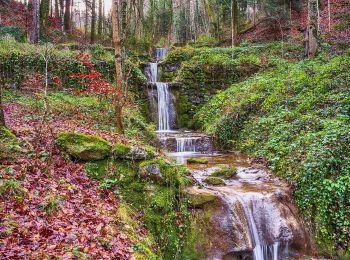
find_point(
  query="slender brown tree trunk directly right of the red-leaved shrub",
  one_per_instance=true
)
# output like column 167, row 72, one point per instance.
column 118, row 95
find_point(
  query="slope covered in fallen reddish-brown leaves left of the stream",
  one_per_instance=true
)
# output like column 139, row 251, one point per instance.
column 49, row 206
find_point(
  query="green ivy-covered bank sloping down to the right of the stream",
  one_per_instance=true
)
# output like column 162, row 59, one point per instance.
column 296, row 117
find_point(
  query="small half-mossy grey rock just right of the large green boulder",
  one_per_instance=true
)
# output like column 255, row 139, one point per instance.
column 122, row 151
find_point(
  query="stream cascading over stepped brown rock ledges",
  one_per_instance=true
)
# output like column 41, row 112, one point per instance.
column 256, row 218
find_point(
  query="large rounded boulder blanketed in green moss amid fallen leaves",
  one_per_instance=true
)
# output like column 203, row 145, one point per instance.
column 84, row 147
